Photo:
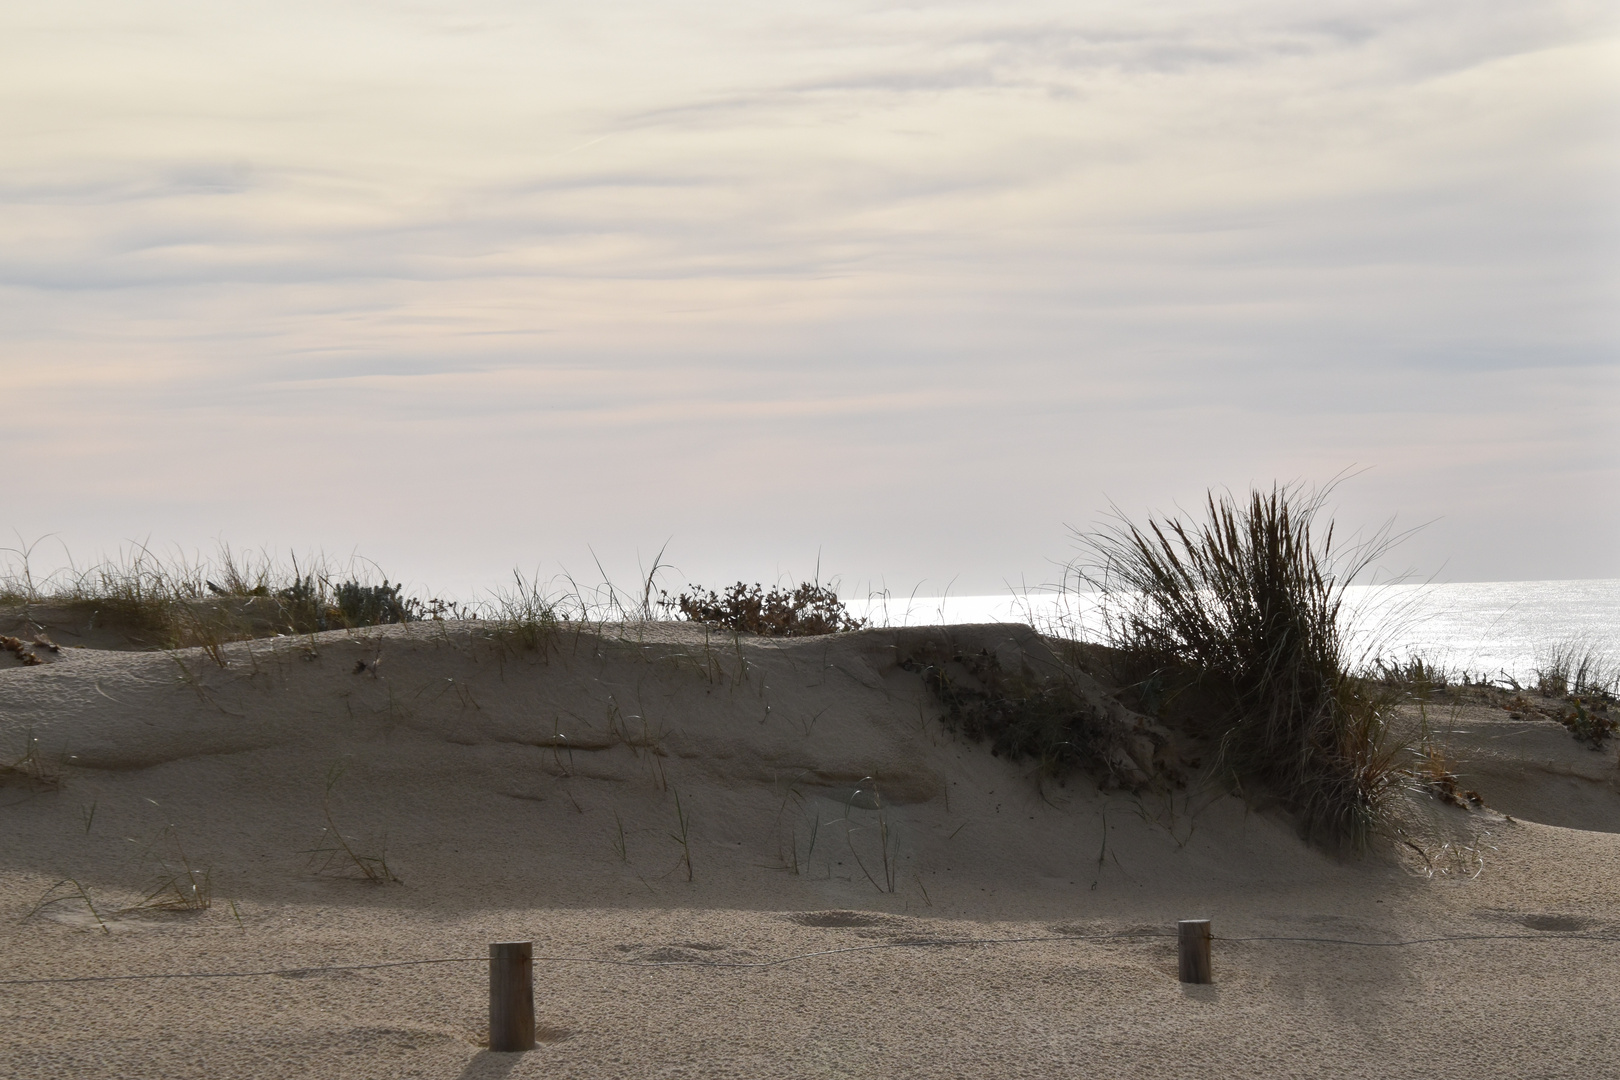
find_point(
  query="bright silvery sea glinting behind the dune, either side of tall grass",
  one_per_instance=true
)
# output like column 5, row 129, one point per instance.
column 1490, row 629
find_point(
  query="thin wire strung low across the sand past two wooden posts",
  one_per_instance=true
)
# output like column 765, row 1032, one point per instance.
column 947, row 943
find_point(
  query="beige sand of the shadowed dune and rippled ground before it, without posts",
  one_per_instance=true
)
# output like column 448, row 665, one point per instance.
column 827, row 815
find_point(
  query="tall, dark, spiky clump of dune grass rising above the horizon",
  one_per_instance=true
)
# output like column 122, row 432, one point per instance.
column 1243, row 613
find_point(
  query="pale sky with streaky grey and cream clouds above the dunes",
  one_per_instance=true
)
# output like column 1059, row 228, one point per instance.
column 903, row 292
